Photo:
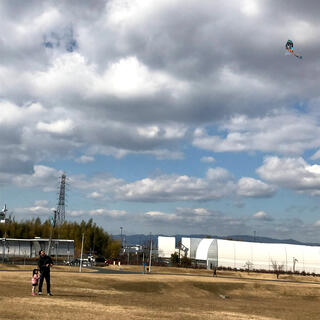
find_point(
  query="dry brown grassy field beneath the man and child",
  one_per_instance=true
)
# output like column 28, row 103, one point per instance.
column 166, row 293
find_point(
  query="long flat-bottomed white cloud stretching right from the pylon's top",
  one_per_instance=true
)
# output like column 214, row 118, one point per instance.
column 218, row 183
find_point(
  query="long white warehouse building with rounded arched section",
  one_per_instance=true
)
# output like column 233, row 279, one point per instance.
column 240, row 254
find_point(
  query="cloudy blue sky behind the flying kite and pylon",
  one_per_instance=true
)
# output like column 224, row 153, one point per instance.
column 166, row 116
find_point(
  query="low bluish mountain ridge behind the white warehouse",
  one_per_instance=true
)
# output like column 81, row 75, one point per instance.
column 142, row 239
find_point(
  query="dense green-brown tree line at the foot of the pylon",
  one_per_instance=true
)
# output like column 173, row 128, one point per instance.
column 96, row 240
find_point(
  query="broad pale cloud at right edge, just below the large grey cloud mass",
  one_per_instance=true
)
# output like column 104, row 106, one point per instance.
column 282, row 132
